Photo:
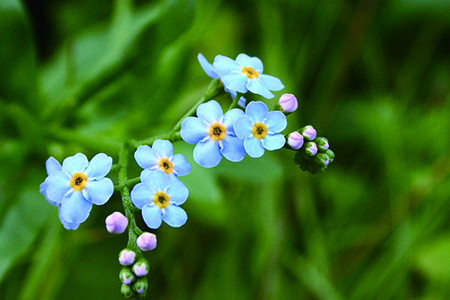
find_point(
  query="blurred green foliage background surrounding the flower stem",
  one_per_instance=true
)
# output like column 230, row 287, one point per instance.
column 371, row 76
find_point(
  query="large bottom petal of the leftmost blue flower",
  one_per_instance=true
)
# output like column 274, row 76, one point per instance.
column 74, row 208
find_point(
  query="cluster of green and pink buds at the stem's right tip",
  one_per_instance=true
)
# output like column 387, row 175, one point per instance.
column 313, row 154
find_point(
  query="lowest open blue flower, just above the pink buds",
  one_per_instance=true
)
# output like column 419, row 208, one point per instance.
column 159, row 198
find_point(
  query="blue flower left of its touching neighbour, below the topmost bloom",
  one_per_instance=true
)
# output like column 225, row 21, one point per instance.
column 214, row 135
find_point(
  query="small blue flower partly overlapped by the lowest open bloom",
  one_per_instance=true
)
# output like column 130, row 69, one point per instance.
column 160, row 157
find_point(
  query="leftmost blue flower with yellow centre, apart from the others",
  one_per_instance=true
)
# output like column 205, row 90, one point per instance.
column 76, row 185
